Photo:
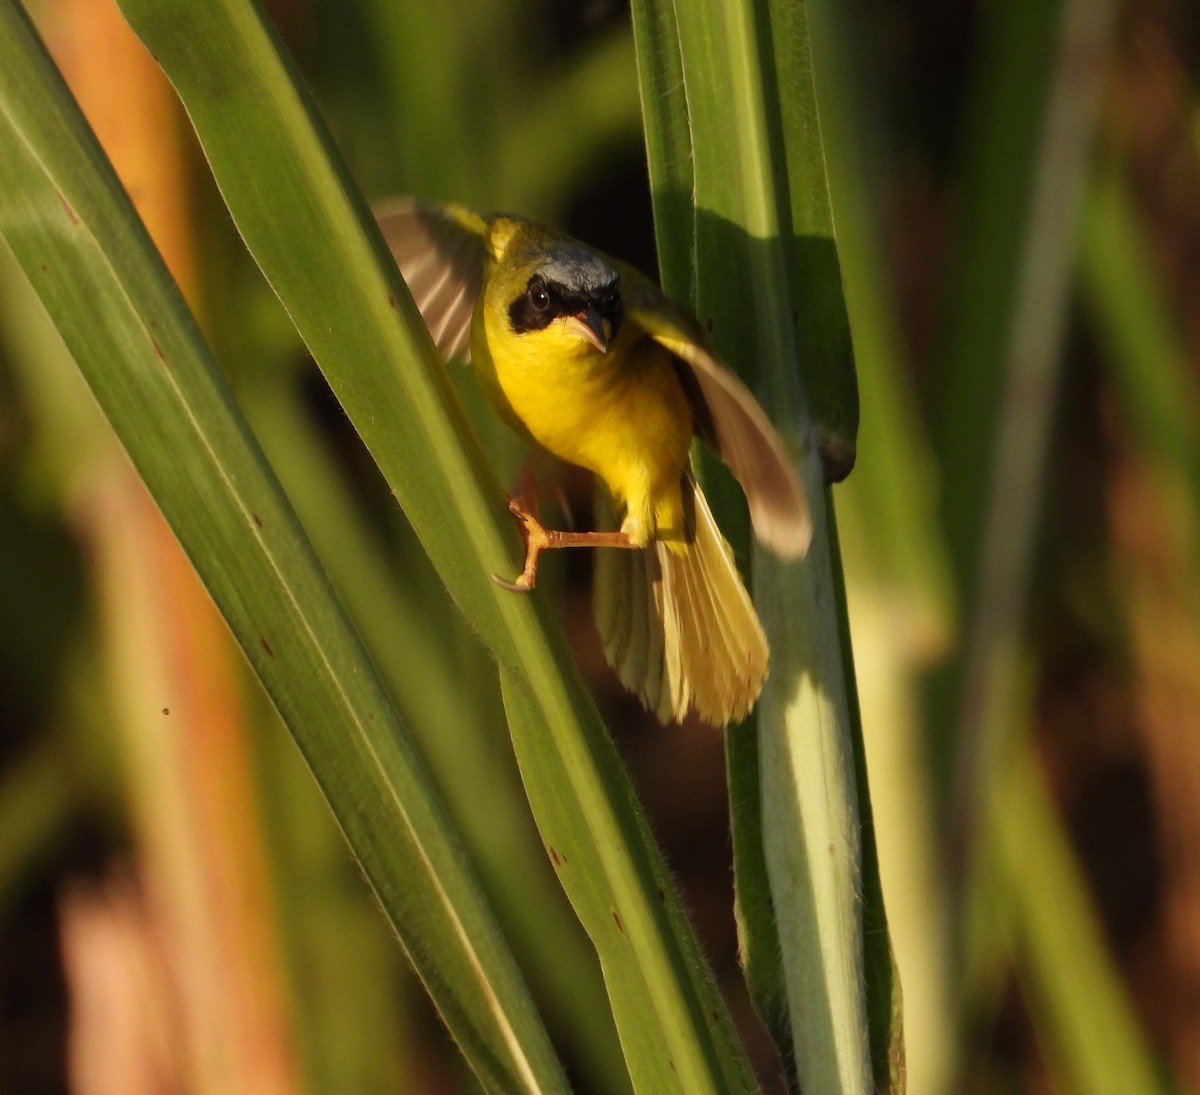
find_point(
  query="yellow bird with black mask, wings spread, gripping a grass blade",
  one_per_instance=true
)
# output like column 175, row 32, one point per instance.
column 589, row 360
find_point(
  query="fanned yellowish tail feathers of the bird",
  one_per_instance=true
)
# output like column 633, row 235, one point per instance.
column 679, row 629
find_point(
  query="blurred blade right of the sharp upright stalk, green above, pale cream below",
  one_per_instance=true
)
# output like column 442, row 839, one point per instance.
column 897, row 573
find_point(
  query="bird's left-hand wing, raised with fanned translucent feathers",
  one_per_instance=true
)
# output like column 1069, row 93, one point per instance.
column 441, row 252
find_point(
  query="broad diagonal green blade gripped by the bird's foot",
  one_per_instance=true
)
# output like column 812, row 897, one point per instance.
column 313, row 237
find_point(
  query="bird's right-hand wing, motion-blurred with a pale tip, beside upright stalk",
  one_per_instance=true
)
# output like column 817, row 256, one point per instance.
column 729, row 420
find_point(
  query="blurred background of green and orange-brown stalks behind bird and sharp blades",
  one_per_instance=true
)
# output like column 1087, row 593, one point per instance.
column 1018, row 199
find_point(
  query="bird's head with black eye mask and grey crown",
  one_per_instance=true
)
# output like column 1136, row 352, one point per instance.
column 560, row 294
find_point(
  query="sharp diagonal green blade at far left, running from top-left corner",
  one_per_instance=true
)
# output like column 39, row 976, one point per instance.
column 83, row 248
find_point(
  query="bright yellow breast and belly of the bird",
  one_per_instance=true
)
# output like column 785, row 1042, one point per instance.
column 623, row 416
